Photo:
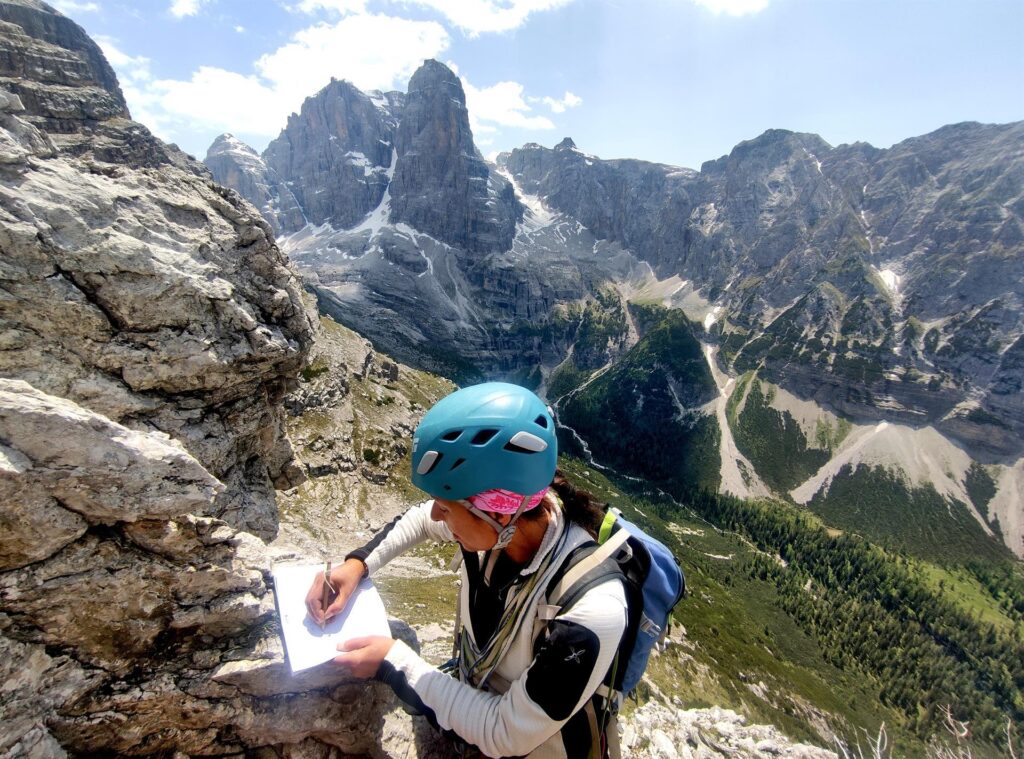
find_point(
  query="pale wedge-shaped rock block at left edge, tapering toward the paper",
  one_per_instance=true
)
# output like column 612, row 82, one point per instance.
column 105, row 475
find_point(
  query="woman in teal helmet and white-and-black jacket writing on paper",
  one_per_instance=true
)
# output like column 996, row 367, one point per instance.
column 527, row 671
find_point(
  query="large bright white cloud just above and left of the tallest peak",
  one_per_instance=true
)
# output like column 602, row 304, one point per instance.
column 371, row 52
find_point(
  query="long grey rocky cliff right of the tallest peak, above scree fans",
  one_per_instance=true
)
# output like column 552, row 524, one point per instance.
column 884, row 284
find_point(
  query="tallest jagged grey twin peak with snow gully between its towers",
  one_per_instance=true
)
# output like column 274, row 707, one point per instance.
column 350, row 157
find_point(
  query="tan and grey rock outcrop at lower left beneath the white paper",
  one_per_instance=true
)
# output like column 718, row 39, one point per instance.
column 137, row 628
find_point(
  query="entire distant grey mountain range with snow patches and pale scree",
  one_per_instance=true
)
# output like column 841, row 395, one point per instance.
column 860, row 309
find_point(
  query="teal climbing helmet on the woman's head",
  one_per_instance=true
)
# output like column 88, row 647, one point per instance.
column 493, row 436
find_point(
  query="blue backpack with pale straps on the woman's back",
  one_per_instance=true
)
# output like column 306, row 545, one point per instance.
column 654, row 584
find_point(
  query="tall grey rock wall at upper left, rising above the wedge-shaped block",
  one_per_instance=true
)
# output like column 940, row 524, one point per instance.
column 134, row 285
